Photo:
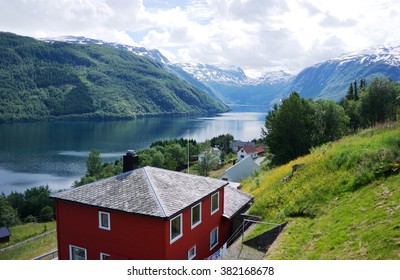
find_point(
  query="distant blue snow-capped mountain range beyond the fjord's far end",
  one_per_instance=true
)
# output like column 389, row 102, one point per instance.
column 328, row 79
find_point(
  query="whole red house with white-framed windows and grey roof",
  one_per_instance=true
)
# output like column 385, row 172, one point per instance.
column 147, row 213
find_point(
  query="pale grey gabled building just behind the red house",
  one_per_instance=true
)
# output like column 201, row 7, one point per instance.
column 241, row 170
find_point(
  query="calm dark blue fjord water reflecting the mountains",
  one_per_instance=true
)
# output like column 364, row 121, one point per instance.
column 54, row 153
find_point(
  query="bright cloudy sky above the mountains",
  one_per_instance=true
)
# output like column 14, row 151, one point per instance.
column 256, row 35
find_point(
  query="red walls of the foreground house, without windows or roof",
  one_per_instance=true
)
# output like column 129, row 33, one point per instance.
column 137, row 237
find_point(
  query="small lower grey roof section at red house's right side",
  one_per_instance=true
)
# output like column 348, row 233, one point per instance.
column 234, row 200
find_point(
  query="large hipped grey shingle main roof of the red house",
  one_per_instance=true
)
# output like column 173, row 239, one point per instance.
column 147, row 191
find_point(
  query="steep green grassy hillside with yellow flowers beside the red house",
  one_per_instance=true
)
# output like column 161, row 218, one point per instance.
column 342, row 203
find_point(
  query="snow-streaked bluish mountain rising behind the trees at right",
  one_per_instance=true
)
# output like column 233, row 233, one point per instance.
column 331, row 79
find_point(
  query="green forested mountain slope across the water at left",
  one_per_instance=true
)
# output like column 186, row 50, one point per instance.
column 42, row 80
